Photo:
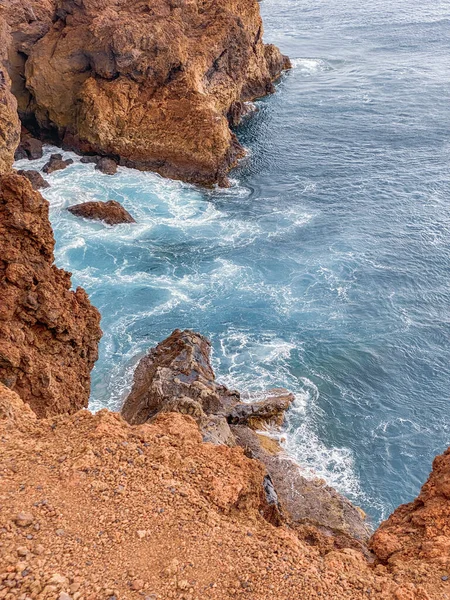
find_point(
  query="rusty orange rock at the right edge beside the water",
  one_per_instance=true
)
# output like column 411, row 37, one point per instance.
column 420, row 530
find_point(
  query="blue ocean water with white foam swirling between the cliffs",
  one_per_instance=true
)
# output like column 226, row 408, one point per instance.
column 324, row 268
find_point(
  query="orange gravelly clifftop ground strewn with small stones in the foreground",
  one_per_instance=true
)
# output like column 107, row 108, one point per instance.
column 95, row 508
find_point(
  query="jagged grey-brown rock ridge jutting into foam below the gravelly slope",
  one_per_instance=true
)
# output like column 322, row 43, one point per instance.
column 177, row 376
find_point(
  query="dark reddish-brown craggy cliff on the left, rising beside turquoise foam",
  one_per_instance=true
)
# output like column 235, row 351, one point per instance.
column 48, row 333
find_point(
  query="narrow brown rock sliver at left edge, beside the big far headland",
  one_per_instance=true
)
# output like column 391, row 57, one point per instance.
column 9, row 121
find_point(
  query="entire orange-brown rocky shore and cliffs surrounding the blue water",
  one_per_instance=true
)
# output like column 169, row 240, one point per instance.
column 184, row 494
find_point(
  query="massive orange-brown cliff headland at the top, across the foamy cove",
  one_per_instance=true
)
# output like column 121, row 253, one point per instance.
column 152, row 83
